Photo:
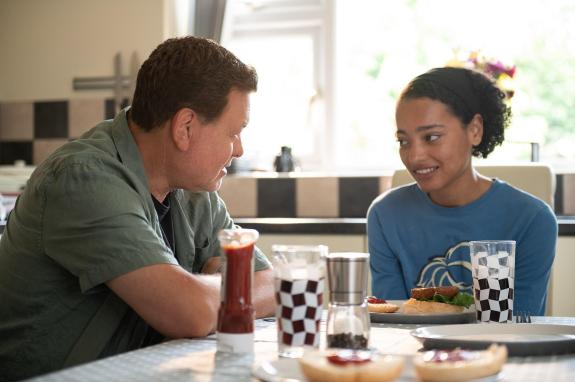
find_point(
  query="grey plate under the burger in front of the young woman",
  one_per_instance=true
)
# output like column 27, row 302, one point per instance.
column 467, row 316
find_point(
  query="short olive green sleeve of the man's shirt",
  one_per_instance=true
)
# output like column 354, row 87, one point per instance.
column 96, row 225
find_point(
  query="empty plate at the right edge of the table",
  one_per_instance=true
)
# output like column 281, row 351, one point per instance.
column 520, row 339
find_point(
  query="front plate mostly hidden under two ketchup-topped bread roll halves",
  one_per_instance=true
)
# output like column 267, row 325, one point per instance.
column 287, row 370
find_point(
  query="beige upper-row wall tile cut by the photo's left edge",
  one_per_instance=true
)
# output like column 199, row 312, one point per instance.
column 16, row 121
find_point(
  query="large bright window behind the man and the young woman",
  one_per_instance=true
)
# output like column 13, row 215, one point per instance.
column 331, row 72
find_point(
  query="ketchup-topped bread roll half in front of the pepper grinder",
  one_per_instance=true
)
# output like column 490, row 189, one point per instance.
column 317, row 368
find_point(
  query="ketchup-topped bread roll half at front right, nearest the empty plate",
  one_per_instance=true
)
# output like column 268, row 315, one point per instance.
column 480, row 364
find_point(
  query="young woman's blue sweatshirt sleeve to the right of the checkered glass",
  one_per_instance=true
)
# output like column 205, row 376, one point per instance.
column 534, row 258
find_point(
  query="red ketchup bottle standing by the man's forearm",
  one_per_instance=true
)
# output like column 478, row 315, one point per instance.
column 235, row 330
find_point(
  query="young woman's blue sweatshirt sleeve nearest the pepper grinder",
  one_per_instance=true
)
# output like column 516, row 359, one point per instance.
column 386, row 273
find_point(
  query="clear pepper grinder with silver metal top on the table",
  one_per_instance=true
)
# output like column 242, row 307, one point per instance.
column 348, row 316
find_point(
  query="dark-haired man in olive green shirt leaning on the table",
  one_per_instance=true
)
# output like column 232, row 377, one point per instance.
column 104, row 249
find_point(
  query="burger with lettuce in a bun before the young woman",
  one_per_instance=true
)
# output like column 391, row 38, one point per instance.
column 437, row 300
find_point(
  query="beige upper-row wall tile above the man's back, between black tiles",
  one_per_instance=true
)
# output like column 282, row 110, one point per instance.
column 84, row 114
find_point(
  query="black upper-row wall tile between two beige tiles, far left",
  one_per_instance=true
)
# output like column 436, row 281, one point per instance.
column 51, row 119
